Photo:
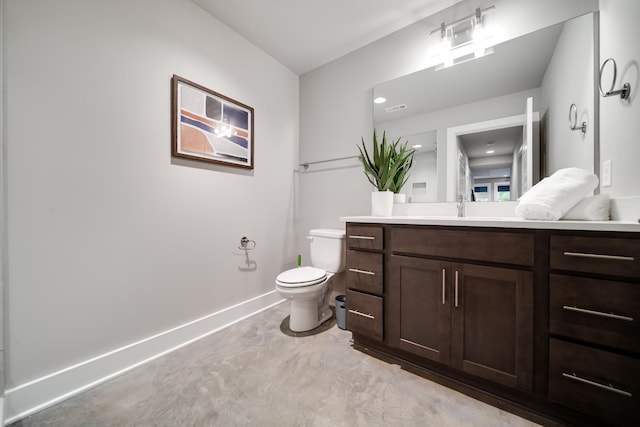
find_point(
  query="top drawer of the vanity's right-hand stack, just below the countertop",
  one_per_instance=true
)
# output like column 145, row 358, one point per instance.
column 614, row 256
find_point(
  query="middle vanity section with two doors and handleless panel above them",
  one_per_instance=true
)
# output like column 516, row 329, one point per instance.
column 477, row 318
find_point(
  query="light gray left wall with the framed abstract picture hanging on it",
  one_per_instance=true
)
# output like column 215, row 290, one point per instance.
column 109, row 239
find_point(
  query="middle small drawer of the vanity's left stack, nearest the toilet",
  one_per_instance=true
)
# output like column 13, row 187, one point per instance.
column 365, row 271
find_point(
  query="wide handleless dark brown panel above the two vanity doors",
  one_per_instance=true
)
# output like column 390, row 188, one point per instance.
column 499, row 247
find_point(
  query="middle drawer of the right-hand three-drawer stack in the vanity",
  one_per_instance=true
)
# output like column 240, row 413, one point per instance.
column 599, row 311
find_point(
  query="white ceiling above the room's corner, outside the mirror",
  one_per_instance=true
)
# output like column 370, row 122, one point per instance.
column 305, row 34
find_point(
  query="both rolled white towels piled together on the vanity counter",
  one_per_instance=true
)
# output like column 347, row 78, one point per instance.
column 566, row 194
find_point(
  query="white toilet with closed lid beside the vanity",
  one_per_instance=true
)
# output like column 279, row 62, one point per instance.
column 308, row 287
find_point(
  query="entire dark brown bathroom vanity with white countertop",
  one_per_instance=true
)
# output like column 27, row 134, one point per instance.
column 540, row 318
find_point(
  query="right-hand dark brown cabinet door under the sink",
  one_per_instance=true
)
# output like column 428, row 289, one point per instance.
column 492, row 324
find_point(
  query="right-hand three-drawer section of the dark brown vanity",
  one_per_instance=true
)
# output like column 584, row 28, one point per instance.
column 594, row 326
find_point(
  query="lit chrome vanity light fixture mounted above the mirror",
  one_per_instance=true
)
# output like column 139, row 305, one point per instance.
column 462, row 40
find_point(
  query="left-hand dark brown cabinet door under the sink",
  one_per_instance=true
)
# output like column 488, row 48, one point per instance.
column 419, row 307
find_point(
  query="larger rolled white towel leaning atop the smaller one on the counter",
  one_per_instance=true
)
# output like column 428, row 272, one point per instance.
column 554, row 196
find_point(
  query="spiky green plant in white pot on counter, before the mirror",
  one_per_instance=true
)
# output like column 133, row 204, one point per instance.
column 386, row 170
